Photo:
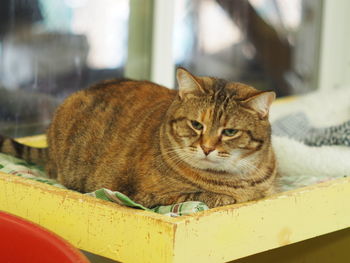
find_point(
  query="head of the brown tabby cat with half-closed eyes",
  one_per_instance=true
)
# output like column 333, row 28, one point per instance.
column 218, row 125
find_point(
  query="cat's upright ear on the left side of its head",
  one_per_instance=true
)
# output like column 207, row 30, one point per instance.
column 188, row 84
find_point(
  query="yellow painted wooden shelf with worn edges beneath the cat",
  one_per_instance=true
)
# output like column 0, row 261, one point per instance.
column 217, row 235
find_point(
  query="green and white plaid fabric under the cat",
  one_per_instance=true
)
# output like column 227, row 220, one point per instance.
column 15, row 166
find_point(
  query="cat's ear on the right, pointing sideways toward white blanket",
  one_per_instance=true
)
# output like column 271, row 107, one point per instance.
column 261, row 103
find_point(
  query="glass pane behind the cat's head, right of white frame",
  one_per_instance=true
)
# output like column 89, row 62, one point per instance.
column 269, row 44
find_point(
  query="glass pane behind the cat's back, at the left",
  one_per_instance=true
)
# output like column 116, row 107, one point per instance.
column 49, row 49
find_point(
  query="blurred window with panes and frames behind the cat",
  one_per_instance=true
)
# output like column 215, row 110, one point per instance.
column 51, row 48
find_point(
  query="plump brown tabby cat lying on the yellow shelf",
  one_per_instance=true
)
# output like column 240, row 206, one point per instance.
column 209, row 141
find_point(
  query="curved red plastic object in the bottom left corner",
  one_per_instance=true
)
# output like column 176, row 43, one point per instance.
column 22, row 241
